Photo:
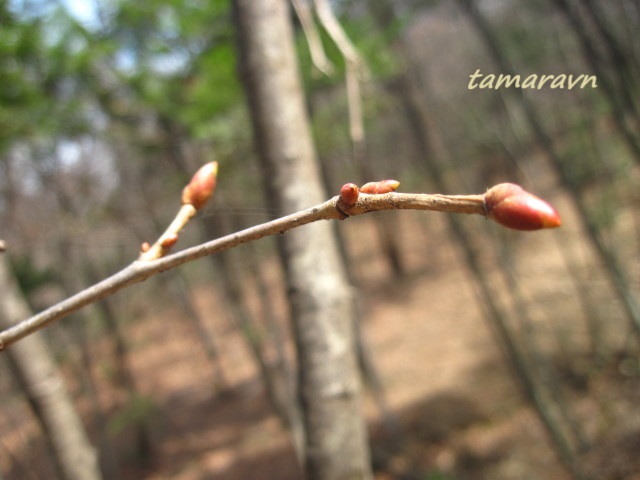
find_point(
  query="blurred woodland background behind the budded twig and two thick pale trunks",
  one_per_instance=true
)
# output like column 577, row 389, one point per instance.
column 485, row 353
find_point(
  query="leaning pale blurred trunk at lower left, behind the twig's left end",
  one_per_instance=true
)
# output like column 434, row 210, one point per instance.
column 38, row 375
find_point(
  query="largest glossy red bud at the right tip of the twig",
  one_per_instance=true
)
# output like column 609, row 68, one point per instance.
column 513, row 207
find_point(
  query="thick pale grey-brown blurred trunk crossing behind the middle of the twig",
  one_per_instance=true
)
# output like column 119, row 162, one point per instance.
column 320, row 297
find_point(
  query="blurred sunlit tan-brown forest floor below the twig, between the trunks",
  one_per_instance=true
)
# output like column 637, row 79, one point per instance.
column 456, row 409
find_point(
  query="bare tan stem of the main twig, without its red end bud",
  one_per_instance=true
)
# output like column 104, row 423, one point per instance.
column 139, row 271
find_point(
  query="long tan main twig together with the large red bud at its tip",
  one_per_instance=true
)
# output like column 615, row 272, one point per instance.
column 493, row 204
